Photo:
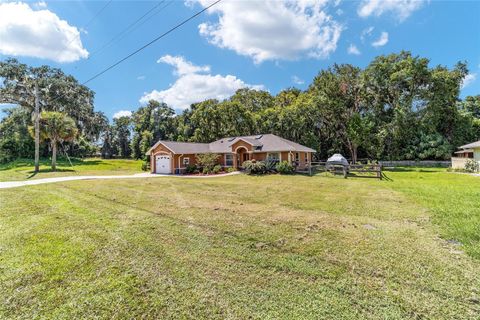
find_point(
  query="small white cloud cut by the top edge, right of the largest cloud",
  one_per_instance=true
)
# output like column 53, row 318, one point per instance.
column 402, row 9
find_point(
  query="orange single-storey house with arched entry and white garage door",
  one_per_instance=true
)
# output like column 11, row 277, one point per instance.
column 174, row 157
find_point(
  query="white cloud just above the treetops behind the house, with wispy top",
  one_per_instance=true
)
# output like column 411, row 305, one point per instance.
column 191, row 86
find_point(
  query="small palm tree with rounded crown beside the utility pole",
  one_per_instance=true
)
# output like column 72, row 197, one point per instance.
column 56, row 127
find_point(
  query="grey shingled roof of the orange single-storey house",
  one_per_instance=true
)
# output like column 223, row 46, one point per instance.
column 262, row 143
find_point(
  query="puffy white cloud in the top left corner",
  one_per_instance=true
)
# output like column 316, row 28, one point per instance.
column 39, row 34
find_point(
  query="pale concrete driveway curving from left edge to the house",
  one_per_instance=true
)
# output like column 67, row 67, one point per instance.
column 16, row 184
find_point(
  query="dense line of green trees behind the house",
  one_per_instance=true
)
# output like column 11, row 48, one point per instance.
column 396, row 108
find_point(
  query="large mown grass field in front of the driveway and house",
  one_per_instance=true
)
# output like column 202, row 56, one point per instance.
column 272, row 247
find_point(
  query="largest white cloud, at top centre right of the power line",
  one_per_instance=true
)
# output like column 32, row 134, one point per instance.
column 272, row 29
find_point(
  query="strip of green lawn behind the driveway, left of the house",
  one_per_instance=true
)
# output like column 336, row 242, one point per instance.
column 22, row 169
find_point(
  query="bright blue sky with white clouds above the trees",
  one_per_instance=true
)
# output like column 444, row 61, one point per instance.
column 261, row 44
